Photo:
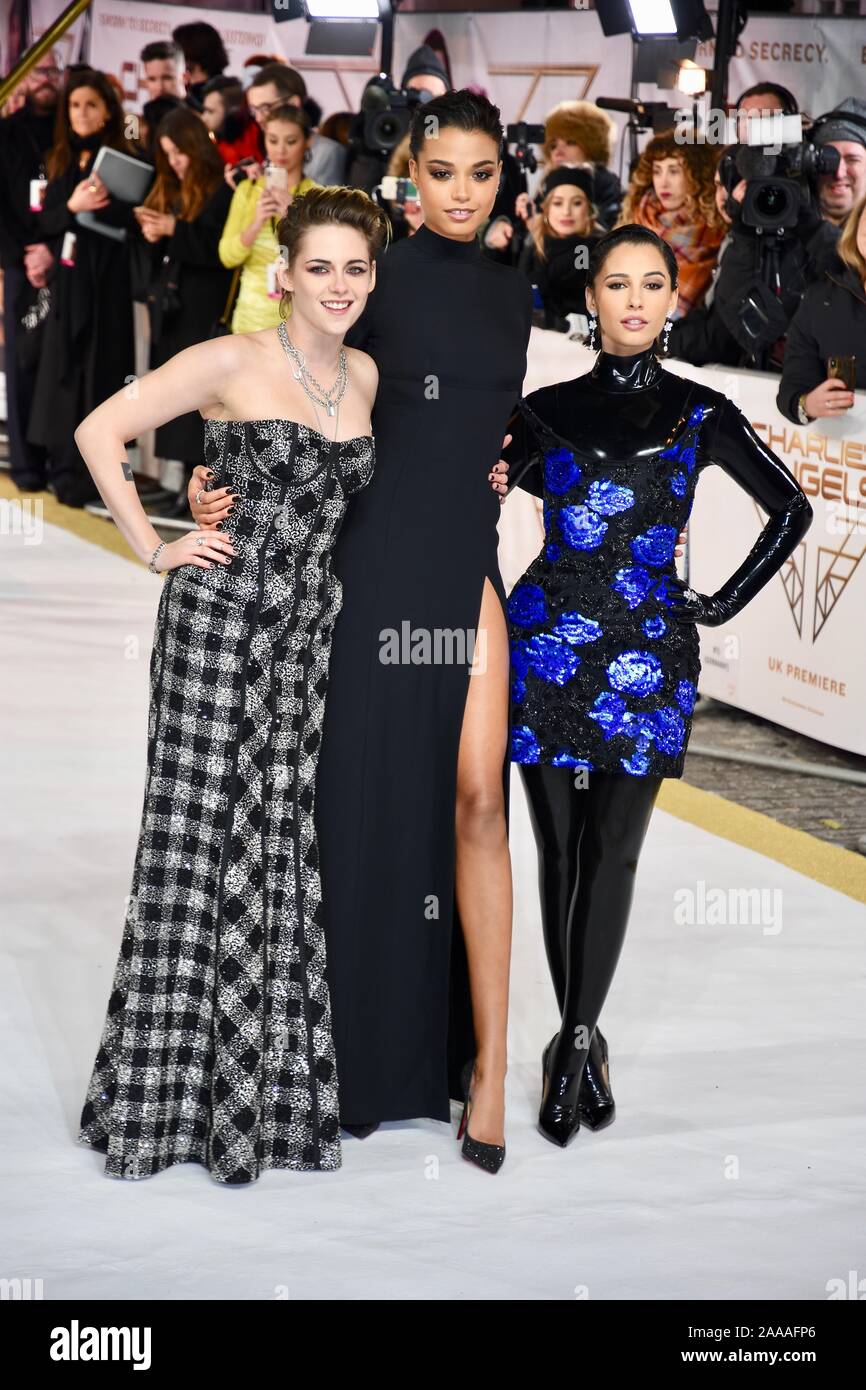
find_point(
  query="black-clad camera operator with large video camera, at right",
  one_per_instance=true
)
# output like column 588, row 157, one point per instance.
column 781, row 244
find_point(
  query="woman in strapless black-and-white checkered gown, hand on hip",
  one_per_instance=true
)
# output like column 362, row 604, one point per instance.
column 218, row 1043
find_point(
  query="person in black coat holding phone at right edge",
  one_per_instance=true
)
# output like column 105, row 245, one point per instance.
column 826, row 348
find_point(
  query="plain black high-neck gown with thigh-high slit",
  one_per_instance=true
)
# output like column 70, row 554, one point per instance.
column 448, row 330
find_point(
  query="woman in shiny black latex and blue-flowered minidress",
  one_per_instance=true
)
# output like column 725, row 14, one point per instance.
column 604, row 646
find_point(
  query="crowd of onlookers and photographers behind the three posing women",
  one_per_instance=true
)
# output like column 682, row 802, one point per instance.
column 229, row 155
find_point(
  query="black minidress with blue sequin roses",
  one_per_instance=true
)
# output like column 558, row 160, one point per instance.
column 603, row 676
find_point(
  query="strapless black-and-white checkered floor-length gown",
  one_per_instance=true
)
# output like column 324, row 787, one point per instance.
column 218, row 1043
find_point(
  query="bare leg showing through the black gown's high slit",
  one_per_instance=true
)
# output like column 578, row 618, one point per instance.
column 484, row 867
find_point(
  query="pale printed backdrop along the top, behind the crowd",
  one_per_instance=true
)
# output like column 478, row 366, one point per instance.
column 526, row 60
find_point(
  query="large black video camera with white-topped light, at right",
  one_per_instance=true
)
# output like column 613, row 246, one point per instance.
column 781, row 169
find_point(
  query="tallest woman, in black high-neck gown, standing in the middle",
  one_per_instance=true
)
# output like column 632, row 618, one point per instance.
column 412, row 794
